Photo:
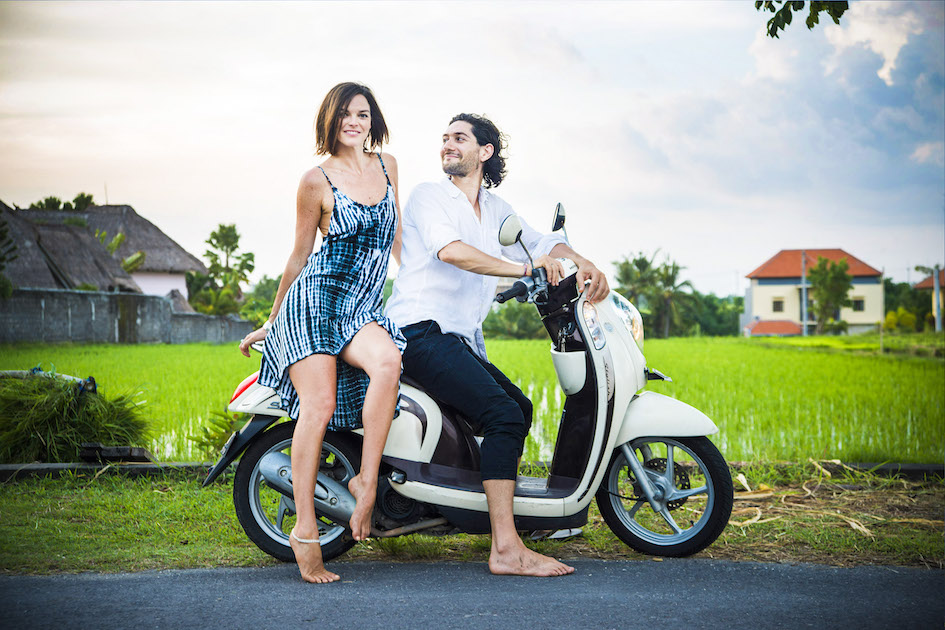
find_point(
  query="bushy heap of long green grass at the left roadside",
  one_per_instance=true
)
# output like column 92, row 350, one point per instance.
column 48, row 418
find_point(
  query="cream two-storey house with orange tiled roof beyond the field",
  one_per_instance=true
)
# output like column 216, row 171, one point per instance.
column 773, row 300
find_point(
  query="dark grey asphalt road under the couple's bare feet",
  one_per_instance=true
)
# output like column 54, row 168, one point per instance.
column 642, row 594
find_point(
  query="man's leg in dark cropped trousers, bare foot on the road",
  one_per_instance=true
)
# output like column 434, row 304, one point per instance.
column 451, row 372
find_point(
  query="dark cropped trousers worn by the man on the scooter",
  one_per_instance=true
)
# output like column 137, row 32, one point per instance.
column 450, row 371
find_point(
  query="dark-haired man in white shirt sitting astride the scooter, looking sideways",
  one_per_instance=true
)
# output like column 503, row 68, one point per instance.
column 449, row 262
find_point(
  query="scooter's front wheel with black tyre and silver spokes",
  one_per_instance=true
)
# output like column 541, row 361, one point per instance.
column 692, row 496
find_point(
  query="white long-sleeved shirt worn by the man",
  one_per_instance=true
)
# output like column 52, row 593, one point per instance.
column 437, row 214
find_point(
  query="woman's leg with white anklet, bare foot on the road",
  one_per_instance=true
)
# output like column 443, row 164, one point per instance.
column 314, row 380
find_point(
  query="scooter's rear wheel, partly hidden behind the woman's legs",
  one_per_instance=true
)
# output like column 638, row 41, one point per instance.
column 267, row 516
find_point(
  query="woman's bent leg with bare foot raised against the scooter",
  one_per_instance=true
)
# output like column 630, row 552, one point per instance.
column 373, row 351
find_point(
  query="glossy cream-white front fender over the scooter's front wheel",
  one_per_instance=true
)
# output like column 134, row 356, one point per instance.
column 652, row 414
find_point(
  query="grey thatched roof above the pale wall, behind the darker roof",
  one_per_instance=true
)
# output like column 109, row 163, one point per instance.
column 161, row 252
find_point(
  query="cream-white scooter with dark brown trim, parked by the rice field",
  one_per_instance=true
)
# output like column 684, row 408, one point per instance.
column 660, row 484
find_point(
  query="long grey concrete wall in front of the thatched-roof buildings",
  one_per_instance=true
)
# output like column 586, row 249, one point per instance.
column 54, row 315
